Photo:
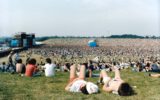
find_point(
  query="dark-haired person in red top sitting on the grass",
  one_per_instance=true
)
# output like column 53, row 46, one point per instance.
column 31, row 69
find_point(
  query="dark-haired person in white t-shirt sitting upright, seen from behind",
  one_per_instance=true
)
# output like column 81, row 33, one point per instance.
column 49, row 68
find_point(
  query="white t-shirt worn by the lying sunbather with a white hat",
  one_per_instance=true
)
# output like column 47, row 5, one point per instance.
column 76, row 86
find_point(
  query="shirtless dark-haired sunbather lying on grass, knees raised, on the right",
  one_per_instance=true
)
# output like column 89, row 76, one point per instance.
column 115, row 85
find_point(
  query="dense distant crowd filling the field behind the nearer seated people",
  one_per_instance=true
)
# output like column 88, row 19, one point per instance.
column 108, row 51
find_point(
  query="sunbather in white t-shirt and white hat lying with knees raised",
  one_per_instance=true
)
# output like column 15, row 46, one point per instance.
column 78, row 84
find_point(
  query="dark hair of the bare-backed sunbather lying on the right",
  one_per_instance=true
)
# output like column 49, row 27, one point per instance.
column 125, row 90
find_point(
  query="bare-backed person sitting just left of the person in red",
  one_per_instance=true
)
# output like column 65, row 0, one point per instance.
column 20, row 67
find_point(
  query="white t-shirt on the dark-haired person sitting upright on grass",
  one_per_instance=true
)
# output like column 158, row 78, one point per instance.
column 49, row 69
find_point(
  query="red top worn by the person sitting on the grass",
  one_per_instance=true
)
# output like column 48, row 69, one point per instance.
column 30, row 69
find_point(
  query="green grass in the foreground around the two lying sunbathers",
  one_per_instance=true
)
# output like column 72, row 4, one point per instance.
column 15, row 87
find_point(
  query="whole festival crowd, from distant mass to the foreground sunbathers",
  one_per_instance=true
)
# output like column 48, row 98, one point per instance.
column 82, row 60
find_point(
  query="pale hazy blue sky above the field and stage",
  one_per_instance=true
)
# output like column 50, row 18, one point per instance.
column 80, row 17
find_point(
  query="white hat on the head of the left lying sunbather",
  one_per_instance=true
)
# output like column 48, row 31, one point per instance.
column 91, row 88
